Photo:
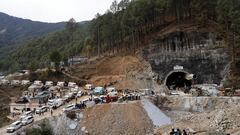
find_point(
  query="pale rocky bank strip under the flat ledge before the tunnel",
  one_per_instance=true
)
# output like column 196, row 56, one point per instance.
column 195, row 104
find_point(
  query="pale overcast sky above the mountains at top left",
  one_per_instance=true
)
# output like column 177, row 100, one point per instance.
column 54, row 10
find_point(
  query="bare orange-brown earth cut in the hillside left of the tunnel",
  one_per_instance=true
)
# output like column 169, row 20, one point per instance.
column 119, row 71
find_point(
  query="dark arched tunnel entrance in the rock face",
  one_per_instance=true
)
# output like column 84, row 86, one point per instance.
column 177, row 81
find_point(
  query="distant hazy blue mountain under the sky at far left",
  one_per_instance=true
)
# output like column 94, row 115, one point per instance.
column 14, row 30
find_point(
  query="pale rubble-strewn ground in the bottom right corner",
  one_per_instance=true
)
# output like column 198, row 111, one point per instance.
column 225, row 119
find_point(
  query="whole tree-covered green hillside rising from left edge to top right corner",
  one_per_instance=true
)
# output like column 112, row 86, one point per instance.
column 130, row 25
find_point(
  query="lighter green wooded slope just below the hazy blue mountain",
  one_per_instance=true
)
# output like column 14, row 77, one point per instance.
column 38, row 50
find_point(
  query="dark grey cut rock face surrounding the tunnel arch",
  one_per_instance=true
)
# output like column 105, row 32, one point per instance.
column 199, row 53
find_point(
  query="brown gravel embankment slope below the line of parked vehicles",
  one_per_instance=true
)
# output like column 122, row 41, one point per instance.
column 117, row 119
